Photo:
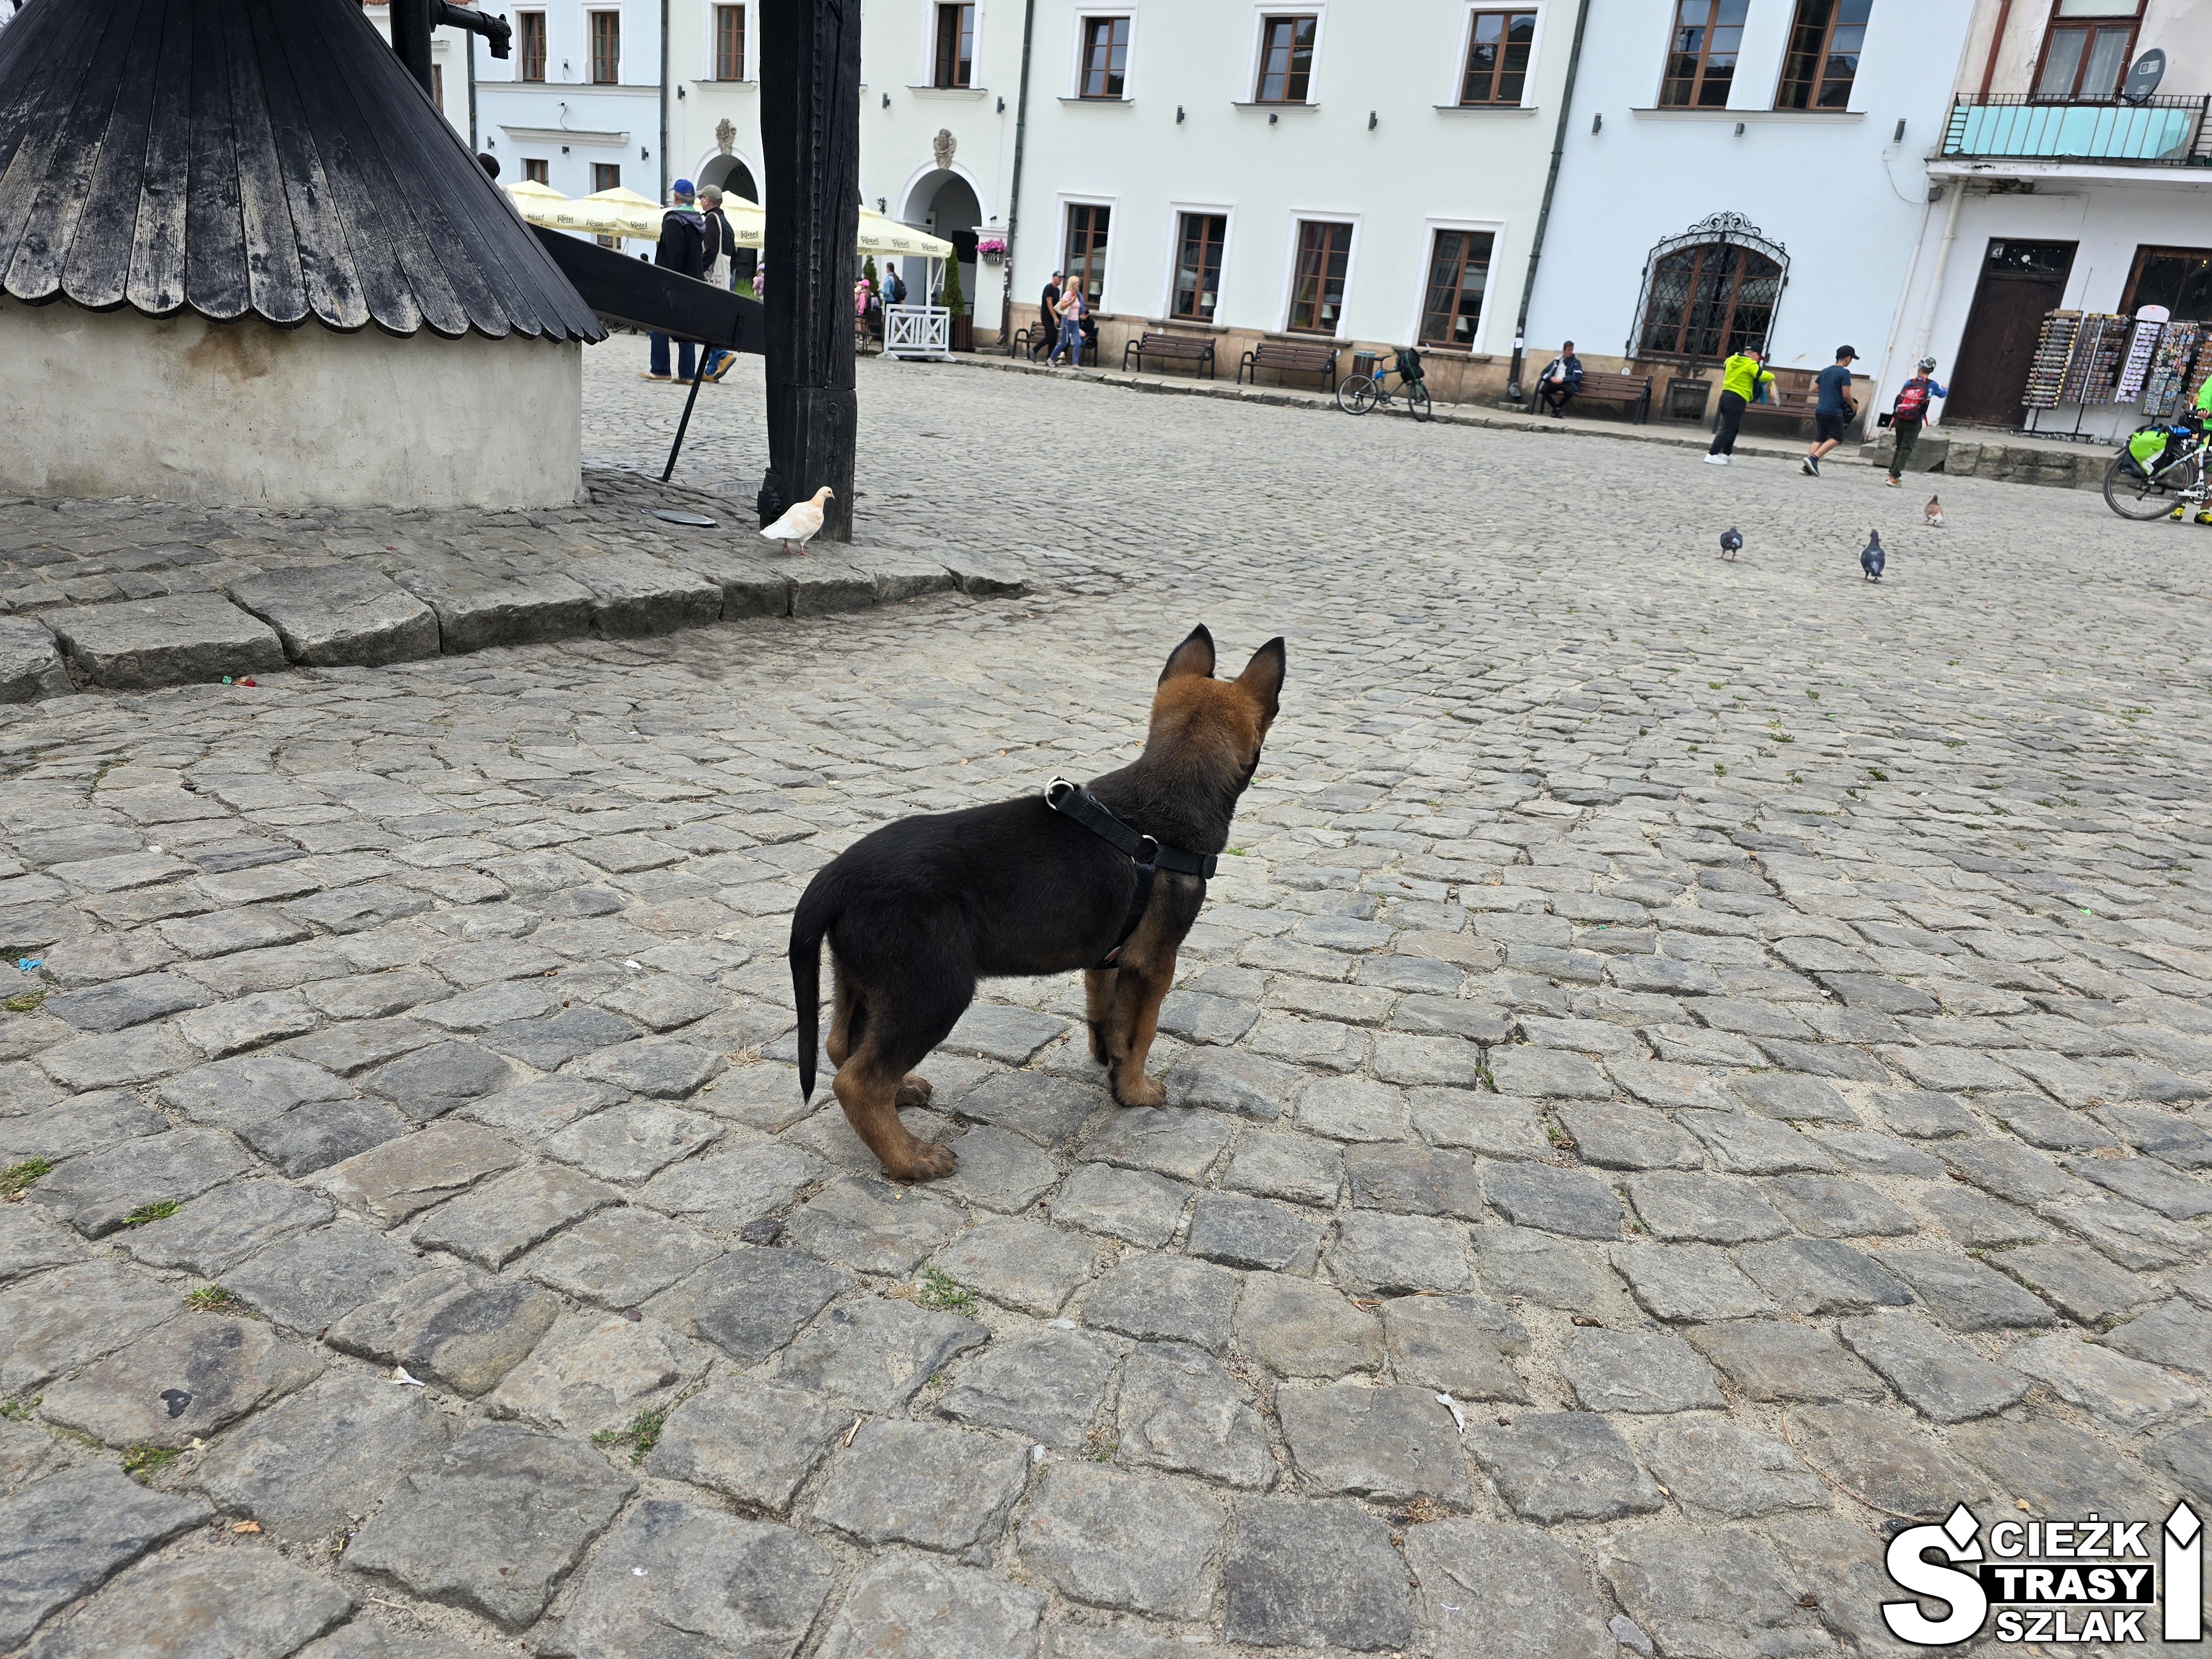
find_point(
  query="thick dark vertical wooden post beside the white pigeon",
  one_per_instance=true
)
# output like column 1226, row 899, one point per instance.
column 811, row 143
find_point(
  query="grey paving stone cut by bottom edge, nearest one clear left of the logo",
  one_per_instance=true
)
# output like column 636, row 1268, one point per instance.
column 1711, row 1596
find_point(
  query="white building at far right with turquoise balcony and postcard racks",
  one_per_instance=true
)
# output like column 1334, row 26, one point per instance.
column 2065, row 191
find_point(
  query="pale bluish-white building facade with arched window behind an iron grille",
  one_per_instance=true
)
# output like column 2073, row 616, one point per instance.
column 1744, row 171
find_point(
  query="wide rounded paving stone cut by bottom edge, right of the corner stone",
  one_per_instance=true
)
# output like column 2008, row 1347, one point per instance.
column 244, row 1605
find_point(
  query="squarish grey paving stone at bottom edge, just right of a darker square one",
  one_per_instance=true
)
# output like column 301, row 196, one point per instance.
column 1494, row 1592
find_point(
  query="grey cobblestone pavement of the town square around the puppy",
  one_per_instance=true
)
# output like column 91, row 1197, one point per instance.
column 1689, row 1065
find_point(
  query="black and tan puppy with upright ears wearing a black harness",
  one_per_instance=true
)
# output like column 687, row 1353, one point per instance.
column 924, row 908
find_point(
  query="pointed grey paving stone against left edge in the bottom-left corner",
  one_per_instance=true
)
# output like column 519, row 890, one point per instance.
column 72, row 1532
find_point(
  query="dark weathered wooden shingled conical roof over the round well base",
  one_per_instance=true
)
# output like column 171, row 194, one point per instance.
column 264, row 158
